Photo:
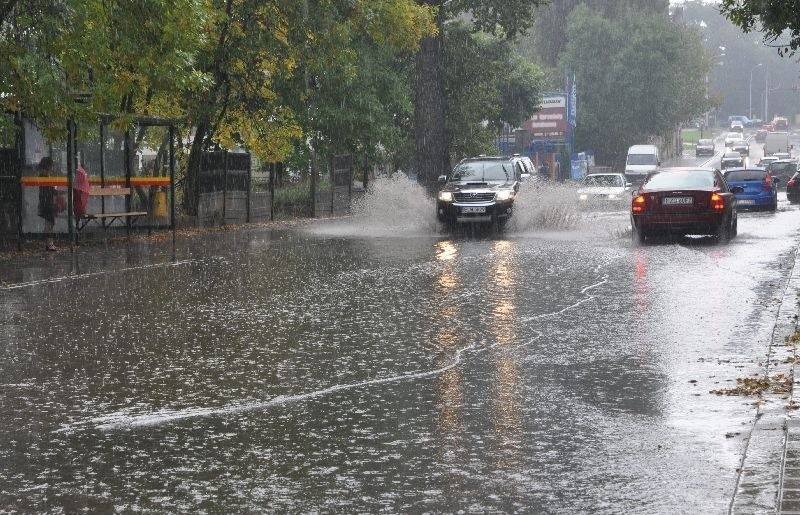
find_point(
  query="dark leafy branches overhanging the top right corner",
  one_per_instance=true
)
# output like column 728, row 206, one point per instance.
column 773, row 18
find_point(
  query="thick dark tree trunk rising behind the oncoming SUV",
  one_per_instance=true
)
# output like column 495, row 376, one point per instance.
column 430, row 136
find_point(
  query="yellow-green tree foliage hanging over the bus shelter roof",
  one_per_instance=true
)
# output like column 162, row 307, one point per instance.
column 119, row 56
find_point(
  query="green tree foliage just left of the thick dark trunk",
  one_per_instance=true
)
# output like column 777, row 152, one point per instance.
column 354, row 95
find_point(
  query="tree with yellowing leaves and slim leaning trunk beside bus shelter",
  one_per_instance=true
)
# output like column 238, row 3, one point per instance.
column 268, row 61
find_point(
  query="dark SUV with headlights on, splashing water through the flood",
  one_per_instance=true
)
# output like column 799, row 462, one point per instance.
column 480, row 189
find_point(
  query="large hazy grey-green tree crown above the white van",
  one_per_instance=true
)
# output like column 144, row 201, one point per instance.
column 654, row 80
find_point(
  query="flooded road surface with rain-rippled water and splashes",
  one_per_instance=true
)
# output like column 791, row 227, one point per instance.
column 376, row 364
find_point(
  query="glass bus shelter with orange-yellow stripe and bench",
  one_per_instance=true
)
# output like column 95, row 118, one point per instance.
column 138, row 160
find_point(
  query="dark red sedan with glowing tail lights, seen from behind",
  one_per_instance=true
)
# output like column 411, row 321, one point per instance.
column 684, row 201
